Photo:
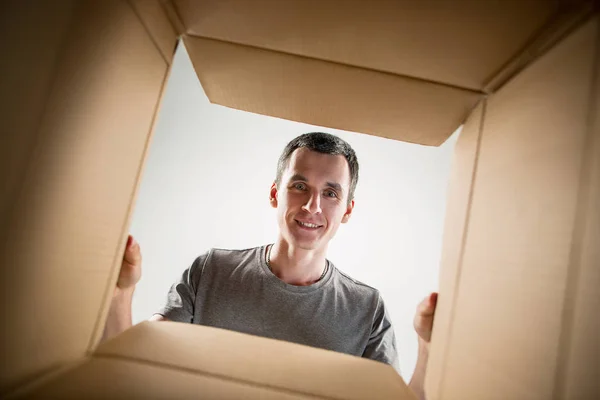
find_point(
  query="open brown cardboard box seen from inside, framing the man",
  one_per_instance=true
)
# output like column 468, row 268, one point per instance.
column 517, row 313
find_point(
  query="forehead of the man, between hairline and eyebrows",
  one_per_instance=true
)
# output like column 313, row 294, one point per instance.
column 317, row 166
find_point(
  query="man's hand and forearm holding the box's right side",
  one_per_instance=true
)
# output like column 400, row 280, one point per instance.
column 423, row 325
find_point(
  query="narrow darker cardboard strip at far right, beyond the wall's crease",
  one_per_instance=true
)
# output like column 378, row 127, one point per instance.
column 579, row 365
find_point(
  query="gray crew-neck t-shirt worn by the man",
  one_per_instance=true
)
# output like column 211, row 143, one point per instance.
column 234, row 289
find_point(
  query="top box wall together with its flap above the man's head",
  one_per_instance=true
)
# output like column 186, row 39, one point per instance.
column 315, row 61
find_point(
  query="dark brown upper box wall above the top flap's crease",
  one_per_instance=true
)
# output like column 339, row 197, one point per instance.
column 459, row 43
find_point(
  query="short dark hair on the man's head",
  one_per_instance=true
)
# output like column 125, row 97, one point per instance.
column 323, row 143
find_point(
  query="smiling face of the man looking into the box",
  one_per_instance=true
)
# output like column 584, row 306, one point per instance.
column 312, row 198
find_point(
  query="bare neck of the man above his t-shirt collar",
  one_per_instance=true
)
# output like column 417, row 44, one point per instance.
column 295, row 266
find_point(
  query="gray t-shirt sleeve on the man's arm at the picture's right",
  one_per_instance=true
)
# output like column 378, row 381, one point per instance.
column 382, row 342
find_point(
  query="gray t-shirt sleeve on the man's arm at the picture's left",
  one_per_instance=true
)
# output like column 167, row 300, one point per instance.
column 181, row 298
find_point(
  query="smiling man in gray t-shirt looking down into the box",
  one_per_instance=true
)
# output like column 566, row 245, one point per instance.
column 288, row 290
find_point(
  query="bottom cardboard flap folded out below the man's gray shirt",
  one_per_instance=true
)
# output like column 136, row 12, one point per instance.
column 257, row 361
